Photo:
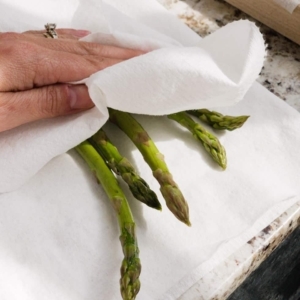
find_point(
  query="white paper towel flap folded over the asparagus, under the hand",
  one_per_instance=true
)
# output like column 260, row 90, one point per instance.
column 172, row 76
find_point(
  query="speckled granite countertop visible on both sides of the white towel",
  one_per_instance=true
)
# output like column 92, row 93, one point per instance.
column 280, row 75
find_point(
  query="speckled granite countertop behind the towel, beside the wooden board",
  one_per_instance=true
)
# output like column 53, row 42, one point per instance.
column 281, row 72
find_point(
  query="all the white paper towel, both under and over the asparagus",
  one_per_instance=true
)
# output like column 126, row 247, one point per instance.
column 59, row 237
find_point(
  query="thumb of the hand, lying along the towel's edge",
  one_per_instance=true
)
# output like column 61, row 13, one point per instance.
column 17, row 108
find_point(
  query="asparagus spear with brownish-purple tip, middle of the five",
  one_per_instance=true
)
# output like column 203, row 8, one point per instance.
column 169, row 189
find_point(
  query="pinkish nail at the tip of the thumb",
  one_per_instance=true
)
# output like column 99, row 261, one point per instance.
column 79, row 97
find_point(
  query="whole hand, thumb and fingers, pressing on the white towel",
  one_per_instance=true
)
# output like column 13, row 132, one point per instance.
column 34, row 71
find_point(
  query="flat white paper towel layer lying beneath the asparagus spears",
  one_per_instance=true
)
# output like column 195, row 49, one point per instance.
column 59, row 236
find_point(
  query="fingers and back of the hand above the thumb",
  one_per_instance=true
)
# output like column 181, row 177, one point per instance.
column 28, row 62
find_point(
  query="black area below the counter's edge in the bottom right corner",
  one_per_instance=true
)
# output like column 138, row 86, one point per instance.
column 277, row 277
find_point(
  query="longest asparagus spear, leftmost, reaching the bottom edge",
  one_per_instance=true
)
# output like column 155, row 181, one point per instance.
column 131, row 266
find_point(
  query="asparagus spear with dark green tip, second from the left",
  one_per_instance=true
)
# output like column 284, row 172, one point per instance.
column 121, row 166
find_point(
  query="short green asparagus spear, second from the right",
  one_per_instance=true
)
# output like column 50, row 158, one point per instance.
column 209, row 141
